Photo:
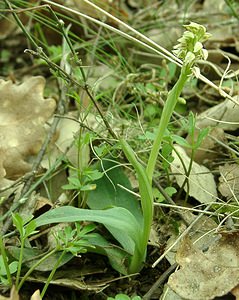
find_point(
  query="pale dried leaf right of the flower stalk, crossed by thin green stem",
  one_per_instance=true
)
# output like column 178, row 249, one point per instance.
column 202, row 185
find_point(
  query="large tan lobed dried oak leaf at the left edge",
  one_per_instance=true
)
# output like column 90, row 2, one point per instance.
column 23, row 113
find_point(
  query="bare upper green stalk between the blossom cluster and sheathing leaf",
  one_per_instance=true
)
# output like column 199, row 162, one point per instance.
column 169, row 106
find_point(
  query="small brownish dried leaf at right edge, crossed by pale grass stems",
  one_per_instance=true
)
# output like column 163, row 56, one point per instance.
column 229, row 180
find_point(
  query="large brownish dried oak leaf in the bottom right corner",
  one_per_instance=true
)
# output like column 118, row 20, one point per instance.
column 210, row 274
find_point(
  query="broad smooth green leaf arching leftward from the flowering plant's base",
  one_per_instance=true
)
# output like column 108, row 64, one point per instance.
column 117, row 218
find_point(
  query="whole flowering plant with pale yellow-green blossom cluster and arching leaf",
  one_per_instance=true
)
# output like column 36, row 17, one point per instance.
column 132, row 234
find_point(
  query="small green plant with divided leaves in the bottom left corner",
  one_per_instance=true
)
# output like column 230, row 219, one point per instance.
column 69, row 240
